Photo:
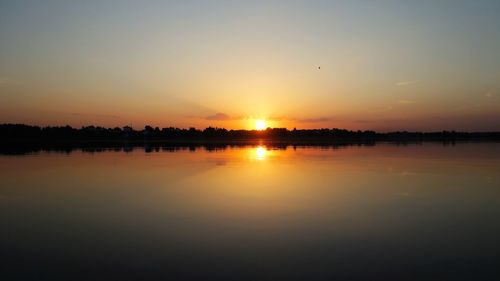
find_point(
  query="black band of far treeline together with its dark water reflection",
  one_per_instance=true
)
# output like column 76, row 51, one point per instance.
column 19, row 138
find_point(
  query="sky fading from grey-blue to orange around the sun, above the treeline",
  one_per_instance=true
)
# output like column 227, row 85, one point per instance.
column 378, row 65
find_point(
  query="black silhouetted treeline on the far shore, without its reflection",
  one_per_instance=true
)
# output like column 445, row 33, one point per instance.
column 20, row 133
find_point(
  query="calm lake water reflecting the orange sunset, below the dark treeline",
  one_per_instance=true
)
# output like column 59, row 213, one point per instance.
column 416, row 212
